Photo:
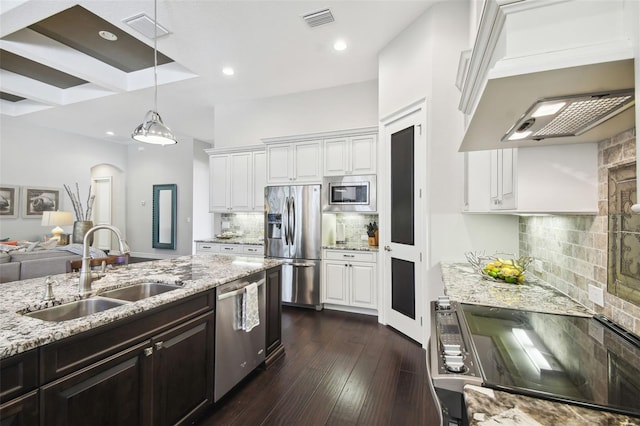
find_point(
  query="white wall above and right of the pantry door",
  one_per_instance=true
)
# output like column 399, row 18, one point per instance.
column 422, row 62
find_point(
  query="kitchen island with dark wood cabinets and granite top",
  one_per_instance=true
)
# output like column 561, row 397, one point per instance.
column 149, row 361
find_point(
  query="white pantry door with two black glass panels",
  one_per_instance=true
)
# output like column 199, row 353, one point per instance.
column 403, row 219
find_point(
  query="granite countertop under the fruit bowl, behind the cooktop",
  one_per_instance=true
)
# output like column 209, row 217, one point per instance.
column 464, row 285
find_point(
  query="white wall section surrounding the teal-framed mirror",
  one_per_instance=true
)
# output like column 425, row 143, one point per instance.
column 157, row 165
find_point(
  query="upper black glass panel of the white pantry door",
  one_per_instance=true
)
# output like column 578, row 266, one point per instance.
column 402, row 187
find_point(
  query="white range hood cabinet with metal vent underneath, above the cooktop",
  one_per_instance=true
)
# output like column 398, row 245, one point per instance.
column 516, row 61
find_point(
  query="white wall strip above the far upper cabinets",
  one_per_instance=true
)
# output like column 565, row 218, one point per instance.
column 336, row 108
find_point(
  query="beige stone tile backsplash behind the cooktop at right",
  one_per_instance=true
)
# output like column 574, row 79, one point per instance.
column 572, row 251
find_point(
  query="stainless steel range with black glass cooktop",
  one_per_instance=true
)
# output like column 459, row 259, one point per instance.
column 587, row 361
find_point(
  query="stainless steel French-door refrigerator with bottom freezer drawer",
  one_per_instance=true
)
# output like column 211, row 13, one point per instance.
column 293, row 231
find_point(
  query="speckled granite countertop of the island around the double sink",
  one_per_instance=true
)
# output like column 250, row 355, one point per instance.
column 195, row 274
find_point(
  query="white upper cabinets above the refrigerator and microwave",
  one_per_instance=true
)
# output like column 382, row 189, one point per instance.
column 303, row 159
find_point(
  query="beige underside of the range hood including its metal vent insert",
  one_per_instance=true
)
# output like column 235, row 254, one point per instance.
column 499, row 113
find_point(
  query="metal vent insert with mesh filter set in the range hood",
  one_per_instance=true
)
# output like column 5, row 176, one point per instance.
column 569, row 115
